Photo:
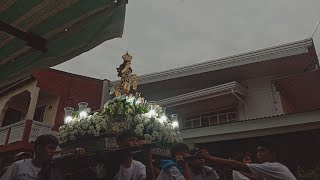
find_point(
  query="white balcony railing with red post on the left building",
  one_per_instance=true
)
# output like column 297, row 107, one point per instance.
column 21, row 134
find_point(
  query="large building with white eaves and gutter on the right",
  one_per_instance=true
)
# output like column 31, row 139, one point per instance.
column 226, row 105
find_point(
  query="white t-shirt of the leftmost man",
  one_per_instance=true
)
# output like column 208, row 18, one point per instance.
column 21, row 170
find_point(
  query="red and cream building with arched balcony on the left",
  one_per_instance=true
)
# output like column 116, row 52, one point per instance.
column 35, row 106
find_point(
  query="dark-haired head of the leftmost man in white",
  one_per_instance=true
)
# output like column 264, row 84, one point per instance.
column 45, row 147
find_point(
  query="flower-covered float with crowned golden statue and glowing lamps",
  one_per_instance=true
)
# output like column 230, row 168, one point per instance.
column 127, row 110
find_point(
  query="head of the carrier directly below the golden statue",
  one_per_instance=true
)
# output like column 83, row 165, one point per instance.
column 127, row 138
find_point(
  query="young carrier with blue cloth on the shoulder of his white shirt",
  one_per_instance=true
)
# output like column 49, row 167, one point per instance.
column 178, row 169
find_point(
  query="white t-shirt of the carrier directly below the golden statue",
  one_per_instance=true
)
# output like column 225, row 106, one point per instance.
column 137, row 171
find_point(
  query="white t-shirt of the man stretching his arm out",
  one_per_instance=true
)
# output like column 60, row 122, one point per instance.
column 271, row 171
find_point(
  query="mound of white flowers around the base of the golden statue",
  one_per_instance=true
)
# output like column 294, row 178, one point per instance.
column 133, row 110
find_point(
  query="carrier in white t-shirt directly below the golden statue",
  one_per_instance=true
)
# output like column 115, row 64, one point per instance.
column 131, row 169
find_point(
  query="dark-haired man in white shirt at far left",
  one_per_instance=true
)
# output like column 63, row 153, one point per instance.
column 37, row 167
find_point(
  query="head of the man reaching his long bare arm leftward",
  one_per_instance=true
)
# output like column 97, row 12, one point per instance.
column 266, row 152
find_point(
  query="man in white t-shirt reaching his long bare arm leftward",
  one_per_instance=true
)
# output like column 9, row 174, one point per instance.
column 269, row 169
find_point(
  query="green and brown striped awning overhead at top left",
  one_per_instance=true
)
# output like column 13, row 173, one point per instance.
column 70, row 27
